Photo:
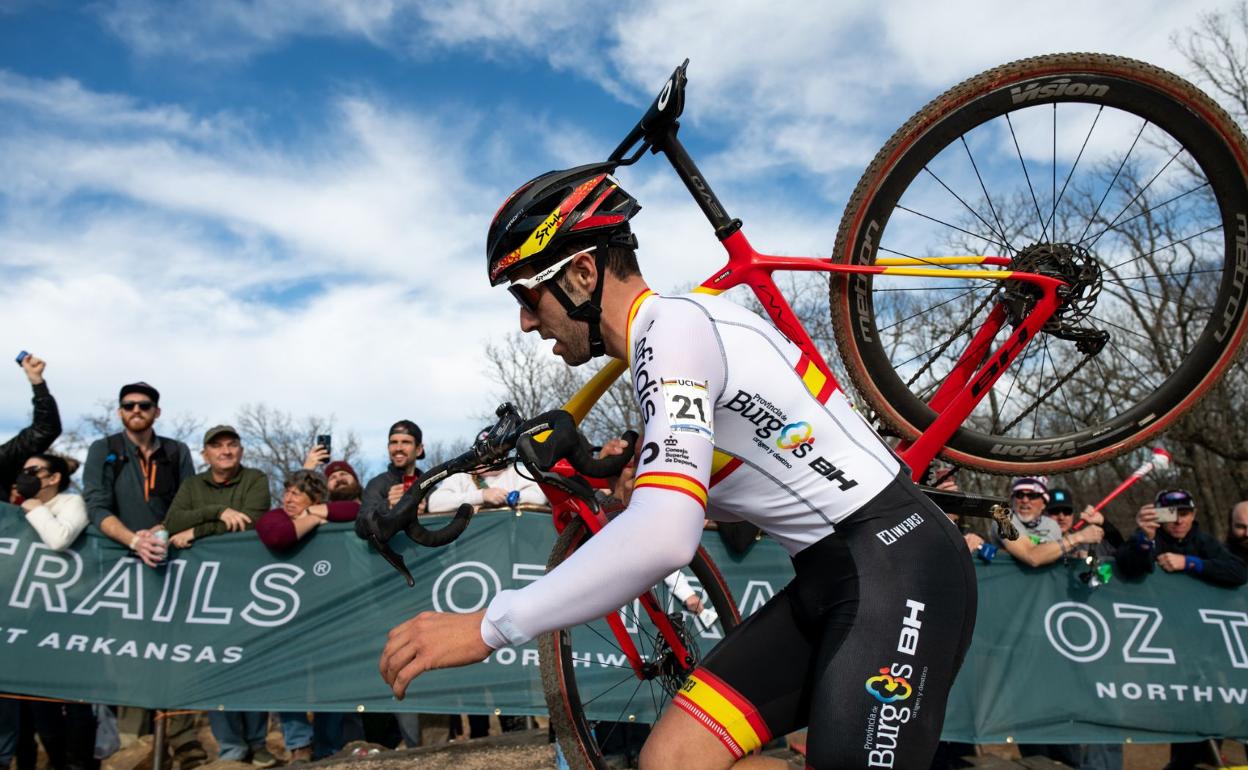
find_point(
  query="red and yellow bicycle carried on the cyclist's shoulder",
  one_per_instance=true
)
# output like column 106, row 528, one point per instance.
column 1045, row 268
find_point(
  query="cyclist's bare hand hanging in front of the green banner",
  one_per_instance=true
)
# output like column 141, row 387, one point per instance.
column 431, row 641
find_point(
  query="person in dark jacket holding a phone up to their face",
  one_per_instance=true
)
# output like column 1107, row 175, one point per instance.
column 1169, row 536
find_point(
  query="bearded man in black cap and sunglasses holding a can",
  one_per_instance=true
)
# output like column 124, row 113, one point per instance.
column 132, row 477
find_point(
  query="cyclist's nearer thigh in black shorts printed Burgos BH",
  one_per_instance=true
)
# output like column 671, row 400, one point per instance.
column 880, row 694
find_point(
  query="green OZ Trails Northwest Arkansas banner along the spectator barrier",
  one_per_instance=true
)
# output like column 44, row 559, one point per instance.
column 229, row 625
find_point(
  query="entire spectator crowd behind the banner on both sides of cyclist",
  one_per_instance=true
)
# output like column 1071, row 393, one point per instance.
column 142, row 490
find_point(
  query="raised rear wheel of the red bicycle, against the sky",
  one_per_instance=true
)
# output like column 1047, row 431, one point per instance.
column 1118, row 177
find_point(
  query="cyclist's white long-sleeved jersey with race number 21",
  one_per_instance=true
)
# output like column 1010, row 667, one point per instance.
column 739, row 425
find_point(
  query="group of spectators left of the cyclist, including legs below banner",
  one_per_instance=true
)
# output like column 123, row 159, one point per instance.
column 142, row 490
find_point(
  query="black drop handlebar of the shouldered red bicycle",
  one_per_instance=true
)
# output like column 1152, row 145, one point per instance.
column 541, row 442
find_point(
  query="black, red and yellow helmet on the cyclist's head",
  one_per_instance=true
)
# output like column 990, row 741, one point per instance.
column 553, row 209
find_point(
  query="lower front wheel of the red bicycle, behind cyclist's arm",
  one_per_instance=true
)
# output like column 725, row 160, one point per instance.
column 597, row 702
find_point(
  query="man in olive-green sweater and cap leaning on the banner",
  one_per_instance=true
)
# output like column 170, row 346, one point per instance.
column 228, row 497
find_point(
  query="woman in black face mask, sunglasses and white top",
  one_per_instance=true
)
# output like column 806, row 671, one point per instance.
column 57, row 516
